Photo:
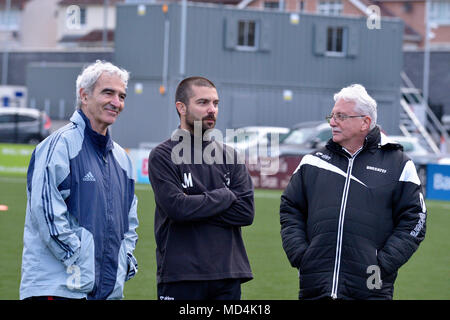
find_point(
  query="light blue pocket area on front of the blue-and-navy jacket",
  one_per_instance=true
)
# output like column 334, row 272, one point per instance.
column 82, row 272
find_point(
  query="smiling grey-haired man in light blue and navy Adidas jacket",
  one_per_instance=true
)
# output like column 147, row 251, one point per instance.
column 81, row 217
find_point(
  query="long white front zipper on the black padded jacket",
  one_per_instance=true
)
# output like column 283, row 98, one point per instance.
column 337, row 261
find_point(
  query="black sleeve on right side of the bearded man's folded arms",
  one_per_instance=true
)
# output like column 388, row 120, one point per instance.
column 241, row 212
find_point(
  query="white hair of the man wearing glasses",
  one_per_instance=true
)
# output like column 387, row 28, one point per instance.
column 364, row 103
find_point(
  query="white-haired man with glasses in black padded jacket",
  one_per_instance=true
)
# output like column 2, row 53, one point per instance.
column 353, row 212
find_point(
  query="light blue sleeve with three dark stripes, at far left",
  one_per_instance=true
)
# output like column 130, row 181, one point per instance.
column 47, row 208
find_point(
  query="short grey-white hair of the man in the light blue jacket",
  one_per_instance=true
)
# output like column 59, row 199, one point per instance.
column 89, row 76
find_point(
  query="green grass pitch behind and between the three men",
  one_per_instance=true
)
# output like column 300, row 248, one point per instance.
column 425, row 276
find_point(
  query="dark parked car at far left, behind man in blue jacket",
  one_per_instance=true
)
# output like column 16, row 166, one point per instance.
column 23, row 125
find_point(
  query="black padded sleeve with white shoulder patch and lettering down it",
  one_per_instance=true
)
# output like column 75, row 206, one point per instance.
column 409, row 215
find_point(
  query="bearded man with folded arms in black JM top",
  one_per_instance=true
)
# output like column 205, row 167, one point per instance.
column 200, row 205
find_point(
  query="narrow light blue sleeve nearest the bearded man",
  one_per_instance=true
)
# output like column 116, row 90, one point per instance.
column 131, row 238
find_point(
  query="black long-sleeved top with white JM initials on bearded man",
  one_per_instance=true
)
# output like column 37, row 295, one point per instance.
column 200, row 209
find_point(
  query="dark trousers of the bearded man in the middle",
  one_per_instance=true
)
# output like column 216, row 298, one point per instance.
column 225, row 289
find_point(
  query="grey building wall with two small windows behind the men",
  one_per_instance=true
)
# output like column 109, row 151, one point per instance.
column 251, row 83
